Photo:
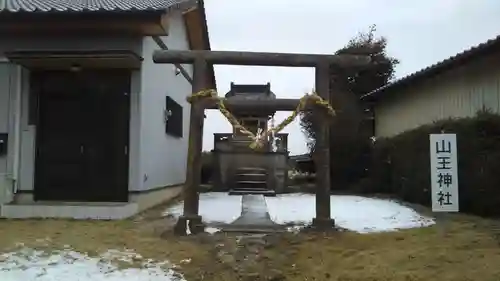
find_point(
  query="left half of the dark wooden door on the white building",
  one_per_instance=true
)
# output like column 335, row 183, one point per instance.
column 59, row 168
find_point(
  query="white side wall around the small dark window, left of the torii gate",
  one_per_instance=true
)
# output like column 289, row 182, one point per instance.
column 163, row 157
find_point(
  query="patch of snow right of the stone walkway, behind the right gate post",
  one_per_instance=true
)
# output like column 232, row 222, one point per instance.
column 356, row 213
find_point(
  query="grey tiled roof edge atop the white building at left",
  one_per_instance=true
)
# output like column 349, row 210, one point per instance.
column 16, row 6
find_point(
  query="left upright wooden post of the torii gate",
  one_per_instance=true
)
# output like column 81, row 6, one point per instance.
column 190, row 216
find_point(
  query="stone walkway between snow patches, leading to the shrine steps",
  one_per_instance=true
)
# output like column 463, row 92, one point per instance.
column 254, row 217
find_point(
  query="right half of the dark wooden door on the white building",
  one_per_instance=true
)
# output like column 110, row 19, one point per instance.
column 107, row 126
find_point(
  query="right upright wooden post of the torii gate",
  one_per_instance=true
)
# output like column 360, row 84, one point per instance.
column 323, row 220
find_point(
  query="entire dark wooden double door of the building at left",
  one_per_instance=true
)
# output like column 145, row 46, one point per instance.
column 82, row 136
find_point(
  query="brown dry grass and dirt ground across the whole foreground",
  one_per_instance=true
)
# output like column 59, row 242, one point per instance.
column 457, row 248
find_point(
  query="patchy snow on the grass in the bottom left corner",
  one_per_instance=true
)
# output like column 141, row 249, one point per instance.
column 33, row 265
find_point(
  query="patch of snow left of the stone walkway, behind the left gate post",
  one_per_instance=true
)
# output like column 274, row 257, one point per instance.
column 215, row 207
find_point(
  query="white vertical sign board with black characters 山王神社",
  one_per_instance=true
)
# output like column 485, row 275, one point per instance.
column 444, row 175
